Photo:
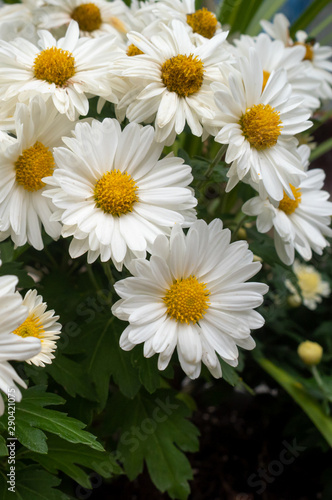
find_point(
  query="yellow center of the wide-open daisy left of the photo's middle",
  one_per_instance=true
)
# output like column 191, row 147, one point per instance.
column 115, row 193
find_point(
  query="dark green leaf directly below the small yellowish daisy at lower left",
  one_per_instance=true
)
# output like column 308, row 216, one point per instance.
column 71, row 375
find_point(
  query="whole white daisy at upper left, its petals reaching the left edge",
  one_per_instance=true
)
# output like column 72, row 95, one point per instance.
column 64, row 70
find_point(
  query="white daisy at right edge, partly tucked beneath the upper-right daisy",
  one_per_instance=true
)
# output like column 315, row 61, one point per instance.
column 301, row 223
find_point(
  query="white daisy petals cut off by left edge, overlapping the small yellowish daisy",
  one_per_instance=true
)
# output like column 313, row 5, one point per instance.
column 12, row 313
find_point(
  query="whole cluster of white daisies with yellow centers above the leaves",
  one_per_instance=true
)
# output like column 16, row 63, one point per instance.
column 164, row 67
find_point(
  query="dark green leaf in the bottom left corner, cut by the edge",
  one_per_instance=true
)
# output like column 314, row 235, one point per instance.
column 32, row 484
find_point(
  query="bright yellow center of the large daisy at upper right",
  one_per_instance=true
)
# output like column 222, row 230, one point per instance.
column 261, row 126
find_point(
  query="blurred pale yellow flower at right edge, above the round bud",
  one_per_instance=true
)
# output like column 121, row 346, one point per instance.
column 310, row 282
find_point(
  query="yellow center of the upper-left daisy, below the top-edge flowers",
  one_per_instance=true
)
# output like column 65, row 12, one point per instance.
column 54, row 66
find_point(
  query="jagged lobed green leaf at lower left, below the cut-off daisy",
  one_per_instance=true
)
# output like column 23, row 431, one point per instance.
column 32, row 418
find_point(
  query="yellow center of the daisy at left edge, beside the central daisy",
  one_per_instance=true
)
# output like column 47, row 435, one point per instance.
column 32, row 165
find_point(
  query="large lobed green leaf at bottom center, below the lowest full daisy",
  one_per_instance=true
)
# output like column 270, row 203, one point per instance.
column 155, row 429
